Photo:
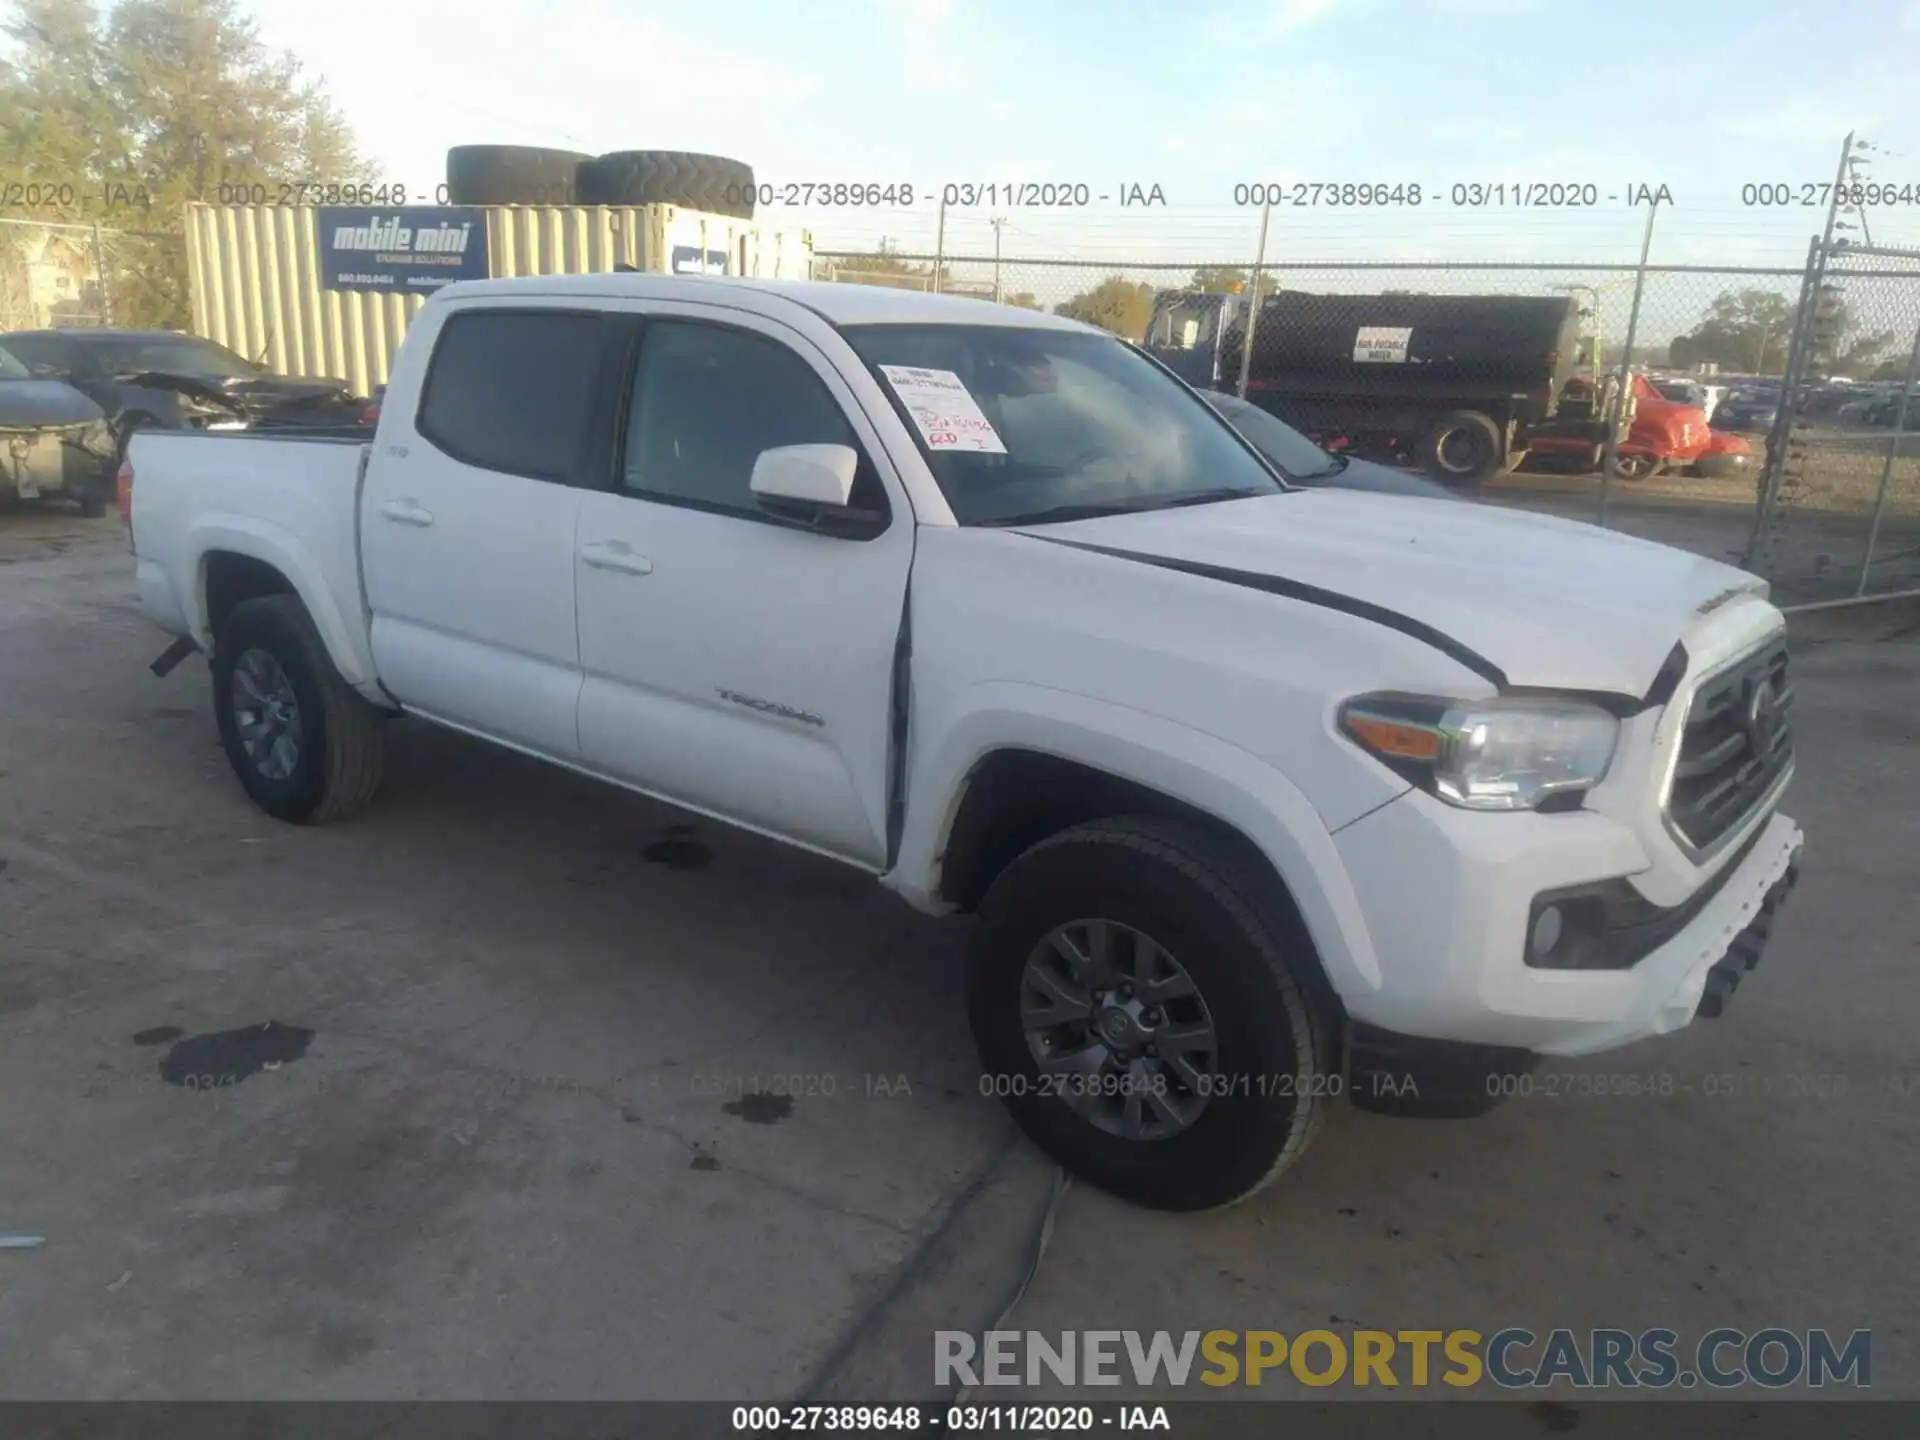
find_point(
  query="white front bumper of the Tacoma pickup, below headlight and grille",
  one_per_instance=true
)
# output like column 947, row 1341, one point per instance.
column 1447, row 898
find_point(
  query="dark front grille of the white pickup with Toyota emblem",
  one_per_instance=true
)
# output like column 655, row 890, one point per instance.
column 1737, row 746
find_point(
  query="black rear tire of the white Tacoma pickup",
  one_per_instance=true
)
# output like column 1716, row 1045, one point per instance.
column 337, row 752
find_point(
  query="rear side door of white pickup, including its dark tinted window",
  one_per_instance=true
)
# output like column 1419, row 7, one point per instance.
column 469, row 514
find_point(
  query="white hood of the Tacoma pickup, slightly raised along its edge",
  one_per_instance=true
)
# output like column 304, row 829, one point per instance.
column 1527, row 600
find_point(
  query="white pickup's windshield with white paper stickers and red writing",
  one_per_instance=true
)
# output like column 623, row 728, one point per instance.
column 1080, row 423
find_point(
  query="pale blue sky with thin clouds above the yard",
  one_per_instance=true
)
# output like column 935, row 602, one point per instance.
column 1193, row 97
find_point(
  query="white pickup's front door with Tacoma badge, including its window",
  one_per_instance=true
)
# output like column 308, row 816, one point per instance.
column 738, row 663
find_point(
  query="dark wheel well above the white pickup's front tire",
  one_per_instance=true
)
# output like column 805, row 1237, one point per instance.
column 1017, row 800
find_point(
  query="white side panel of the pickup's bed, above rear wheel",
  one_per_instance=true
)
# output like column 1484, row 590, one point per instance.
column 285, row 500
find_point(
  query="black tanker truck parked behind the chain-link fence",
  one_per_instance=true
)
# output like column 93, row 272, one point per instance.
column 1458, row 383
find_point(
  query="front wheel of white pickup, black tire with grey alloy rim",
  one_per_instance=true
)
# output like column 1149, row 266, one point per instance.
column 1140, row 1005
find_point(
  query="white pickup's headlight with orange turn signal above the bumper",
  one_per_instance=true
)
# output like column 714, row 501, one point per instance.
column 1487, row 756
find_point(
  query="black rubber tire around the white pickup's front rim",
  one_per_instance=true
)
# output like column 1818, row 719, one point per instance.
column 1249, row 965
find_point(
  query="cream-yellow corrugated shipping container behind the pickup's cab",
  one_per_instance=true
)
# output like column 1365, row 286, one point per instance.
column 256, row 283
